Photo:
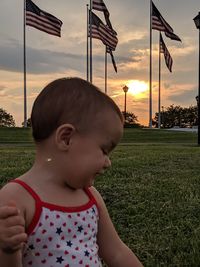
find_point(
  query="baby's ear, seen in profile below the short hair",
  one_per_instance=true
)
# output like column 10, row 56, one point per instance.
column 63, row 135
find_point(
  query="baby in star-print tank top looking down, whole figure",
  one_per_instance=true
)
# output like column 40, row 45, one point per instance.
column 55, row 208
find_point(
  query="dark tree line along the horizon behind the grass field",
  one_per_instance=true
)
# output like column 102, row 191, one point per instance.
column 170, row 116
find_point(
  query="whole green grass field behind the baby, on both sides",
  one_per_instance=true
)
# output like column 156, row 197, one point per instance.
column 152, row 191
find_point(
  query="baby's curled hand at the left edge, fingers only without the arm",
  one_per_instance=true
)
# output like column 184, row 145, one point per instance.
column 12, row 228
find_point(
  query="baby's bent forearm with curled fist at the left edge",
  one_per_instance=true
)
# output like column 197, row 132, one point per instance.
column 12, row 230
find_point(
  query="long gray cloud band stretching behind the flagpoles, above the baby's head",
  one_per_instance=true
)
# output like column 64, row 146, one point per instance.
column 46, row 61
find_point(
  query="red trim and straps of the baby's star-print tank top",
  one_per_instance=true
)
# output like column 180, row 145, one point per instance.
column 39, row 204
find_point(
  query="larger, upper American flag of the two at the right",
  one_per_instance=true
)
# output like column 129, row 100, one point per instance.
column 160, row 24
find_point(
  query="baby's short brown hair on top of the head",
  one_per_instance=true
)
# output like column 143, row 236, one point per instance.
column 68, row 100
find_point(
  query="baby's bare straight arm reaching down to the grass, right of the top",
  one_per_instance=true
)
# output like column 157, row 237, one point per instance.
column 111, row 248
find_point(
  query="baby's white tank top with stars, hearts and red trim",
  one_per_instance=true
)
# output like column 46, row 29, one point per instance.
column 62, row 236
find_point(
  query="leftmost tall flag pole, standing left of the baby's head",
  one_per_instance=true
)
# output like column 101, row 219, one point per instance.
column 25, row 101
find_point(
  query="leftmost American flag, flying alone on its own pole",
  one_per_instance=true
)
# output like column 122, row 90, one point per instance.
column 41, row 20
